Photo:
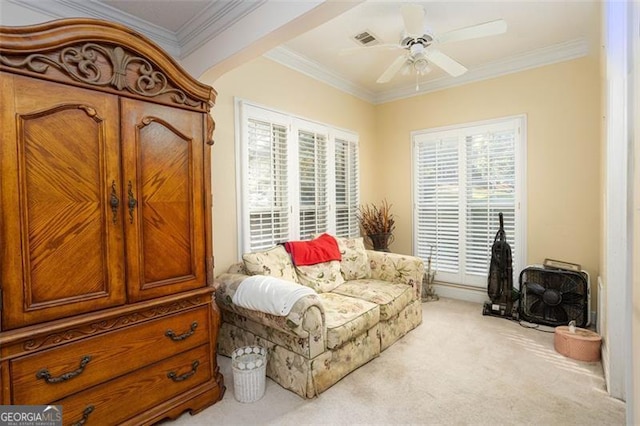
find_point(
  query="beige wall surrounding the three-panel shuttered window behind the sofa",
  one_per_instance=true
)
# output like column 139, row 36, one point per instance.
column 267, row 83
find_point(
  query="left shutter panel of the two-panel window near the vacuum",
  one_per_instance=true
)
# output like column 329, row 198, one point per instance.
column 437, row 196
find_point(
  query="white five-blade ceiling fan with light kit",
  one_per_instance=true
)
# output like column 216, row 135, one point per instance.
column 419, row 44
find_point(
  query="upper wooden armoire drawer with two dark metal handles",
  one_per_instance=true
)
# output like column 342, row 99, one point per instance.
column 52, row 374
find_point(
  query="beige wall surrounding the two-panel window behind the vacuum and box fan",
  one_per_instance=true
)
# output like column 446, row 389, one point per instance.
column 562, row 105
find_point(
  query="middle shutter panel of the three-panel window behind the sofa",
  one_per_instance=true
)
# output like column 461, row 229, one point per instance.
column 312, row 161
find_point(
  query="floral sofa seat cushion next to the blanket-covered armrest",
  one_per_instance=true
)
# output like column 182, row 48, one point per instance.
column 347, row 317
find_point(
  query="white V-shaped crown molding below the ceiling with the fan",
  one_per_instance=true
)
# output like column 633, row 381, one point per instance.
column 560, row 52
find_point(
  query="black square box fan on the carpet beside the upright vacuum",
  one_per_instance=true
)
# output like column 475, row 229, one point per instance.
column 554, row 296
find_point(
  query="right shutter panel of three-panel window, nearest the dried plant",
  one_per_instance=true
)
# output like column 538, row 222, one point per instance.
column 346, row 178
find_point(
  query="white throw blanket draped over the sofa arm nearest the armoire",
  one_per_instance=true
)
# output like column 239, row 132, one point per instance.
column 269, row 294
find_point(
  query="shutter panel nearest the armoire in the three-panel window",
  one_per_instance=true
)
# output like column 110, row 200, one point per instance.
column 267, row 184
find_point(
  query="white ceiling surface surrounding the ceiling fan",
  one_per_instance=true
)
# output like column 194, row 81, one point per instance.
column 562, row 28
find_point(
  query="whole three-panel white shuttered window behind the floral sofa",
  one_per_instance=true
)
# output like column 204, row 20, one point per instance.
column 297, row 178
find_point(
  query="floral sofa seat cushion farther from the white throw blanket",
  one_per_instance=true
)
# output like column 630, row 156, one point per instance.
column 392, row 298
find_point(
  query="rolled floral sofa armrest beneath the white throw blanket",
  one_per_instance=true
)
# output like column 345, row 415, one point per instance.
column 305, row 319
